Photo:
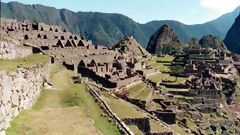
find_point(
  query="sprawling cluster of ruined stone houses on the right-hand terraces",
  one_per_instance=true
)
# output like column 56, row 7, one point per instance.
column 206, row 71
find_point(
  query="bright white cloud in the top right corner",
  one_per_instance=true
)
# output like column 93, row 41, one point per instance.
column 220, row 6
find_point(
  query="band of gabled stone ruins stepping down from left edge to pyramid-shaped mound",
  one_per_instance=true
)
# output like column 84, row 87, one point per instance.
column 111, row 67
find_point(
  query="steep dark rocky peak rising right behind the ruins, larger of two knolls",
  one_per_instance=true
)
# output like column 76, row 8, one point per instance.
column 164, row 41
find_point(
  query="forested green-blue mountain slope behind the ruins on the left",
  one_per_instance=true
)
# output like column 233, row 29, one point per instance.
column 106, row 29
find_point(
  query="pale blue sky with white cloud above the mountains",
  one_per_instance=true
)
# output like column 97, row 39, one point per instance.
column 142, row 11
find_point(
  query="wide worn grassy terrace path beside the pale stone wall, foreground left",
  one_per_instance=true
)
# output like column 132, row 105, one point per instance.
column 67, row 108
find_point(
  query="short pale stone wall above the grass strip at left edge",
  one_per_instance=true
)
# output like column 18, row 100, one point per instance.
column 12, row 49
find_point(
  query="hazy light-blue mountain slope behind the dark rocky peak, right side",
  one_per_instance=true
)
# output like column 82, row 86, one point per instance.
column 217, row 27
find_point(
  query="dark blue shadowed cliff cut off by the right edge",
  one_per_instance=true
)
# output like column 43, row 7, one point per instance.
column 232, row 39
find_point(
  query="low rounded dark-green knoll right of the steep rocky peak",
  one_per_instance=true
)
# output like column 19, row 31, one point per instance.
column 214, row 42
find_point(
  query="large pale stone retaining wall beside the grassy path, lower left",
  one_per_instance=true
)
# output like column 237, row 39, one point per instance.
column 19, row 90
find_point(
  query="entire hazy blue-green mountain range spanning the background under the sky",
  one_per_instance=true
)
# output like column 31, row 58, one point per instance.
column 109, row 29
